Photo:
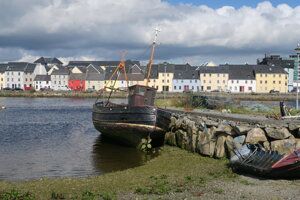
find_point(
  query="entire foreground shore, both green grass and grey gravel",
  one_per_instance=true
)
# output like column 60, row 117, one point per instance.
column 174, row 174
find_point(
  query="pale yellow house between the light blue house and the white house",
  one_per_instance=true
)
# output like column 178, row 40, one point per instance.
column 213, row 78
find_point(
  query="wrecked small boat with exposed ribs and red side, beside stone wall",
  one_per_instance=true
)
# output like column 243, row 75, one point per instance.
column 252, row 159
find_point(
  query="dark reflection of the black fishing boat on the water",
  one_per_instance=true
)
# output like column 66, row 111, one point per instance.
column 109, row 156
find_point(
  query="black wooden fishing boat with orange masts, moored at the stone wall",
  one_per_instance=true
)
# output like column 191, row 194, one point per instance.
column 137, row 122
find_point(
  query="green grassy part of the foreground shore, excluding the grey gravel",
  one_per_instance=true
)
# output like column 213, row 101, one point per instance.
column 174, row 170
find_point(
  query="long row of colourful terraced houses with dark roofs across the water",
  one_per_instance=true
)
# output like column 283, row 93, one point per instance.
column 270, row 73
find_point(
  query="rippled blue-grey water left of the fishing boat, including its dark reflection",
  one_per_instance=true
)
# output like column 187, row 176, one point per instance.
column 55, row 137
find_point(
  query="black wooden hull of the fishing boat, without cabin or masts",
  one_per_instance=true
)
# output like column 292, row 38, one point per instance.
column 130, row 124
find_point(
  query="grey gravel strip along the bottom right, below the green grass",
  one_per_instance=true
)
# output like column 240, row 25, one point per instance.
column 245, row 187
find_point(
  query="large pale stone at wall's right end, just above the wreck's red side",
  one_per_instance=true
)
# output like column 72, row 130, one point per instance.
column 286, row 146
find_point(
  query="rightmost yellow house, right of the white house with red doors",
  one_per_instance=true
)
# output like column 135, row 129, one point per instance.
column 270, row 78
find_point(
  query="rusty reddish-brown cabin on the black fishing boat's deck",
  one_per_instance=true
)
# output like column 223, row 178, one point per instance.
column 140, row 95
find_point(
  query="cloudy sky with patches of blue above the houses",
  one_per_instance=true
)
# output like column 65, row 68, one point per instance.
column 193, row 31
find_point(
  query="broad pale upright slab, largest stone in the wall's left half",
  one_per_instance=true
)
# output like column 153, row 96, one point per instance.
column 207, row 142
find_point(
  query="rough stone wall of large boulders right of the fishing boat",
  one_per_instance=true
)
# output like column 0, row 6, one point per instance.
column 218, row 138
